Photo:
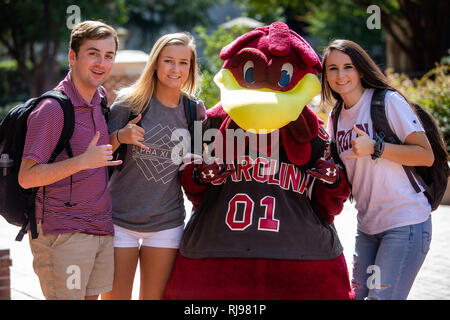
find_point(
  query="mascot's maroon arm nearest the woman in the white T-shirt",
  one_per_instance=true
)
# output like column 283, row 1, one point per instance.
column 328, row 200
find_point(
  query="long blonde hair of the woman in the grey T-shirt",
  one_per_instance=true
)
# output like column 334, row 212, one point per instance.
column 138, row 95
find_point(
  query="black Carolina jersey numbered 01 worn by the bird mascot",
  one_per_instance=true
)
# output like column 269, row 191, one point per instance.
column 262, row 210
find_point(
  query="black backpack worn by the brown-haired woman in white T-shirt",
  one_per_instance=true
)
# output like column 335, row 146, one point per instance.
column 433, row 179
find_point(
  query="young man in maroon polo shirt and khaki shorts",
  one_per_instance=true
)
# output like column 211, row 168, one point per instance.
column 73, row 255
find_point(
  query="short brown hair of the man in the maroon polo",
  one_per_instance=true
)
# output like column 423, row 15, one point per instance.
column 90, row 29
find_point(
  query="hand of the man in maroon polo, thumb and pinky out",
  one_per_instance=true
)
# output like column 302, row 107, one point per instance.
column 98, row 156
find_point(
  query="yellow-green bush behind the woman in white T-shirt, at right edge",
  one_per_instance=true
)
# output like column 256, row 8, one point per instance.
column 432, row 92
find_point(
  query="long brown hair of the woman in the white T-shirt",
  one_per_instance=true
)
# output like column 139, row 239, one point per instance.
column 372, row 77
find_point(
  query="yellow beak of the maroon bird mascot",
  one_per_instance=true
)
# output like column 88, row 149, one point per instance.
column 264, row 110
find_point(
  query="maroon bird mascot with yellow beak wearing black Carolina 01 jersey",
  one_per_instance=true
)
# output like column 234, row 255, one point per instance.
column 265, row 231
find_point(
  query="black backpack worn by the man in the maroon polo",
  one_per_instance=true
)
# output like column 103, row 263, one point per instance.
column 17, row 205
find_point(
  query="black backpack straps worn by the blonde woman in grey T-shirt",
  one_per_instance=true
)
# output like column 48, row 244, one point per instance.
column 190, row 110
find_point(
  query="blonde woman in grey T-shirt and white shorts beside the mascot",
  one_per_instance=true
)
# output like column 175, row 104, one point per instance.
column 148, row 207
